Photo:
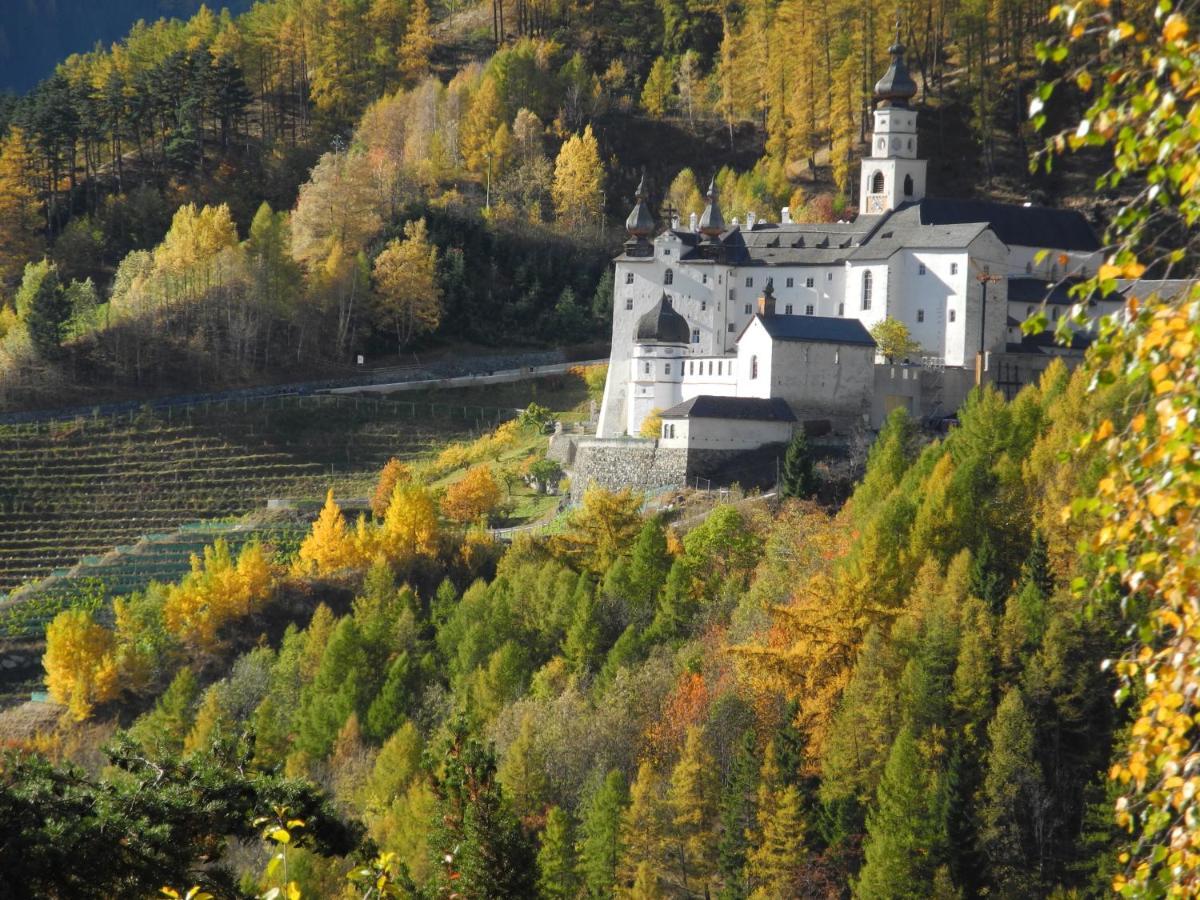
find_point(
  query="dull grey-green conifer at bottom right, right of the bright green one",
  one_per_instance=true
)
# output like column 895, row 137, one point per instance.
column 1011, row 802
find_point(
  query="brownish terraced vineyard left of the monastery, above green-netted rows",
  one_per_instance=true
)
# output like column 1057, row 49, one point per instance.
column 73, row 490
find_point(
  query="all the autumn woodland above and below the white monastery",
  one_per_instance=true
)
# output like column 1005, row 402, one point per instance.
column 974, row 674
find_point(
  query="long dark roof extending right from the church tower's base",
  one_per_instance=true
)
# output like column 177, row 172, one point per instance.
column 1015, row 225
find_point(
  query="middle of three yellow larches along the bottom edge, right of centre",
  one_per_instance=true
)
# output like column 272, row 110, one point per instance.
column 691, row 853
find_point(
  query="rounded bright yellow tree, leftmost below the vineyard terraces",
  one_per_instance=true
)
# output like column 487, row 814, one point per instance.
column 80, row 667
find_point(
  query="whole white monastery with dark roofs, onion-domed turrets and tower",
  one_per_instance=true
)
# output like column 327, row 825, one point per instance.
column 781, row 311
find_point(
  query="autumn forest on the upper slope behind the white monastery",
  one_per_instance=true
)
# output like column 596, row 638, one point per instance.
column 166, row 203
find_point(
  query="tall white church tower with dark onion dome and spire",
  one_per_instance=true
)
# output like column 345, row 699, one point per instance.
column 893, row 175
